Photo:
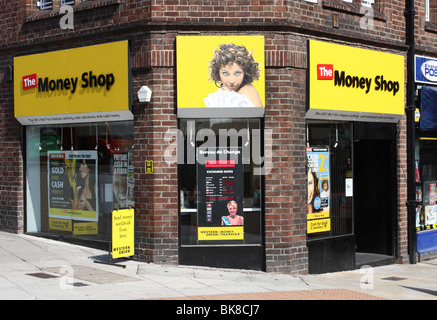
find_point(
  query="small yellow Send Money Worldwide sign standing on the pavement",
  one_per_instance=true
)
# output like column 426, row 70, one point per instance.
column 123, row 243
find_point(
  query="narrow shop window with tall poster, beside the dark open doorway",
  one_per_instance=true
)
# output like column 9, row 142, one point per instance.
column 329, row 172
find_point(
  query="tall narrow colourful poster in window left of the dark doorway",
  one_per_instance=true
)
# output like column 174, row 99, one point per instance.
column 318, row 196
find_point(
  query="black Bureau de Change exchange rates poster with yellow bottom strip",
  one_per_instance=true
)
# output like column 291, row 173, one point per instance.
column 220, row 193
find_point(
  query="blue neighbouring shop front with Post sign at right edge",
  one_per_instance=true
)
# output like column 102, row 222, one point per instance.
column 426, row 157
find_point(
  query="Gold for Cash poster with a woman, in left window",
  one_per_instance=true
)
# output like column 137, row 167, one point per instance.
column 72, row 185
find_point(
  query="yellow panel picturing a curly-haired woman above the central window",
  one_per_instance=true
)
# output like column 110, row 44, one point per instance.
column 204, row 88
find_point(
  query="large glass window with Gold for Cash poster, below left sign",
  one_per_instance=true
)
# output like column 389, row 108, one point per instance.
column 76, row 175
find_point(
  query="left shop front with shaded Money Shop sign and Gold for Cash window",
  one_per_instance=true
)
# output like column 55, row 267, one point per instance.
column 75, row 108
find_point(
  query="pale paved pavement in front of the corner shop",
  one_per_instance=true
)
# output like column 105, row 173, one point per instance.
column 35, row 268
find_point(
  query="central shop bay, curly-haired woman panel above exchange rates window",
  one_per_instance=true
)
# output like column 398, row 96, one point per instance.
column 220, row 168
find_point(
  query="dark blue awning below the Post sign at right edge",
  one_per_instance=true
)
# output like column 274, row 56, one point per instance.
column 428, row 108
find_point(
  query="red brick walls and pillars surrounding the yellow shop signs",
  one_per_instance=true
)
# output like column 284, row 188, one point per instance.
column 151, row 26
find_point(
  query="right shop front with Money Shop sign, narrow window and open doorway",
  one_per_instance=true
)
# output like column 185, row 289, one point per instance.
column 356, row 98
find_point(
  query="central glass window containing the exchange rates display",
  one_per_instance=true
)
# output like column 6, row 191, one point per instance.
column 220, row 197
